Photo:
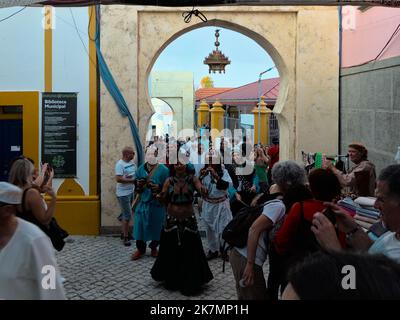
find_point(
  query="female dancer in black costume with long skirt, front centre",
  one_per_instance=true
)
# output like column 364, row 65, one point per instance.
column 181, row 263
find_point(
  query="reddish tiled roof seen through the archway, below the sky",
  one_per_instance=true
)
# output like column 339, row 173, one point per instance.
column 249, row 92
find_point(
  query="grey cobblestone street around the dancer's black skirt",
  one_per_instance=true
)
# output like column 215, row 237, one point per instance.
column 100, row 268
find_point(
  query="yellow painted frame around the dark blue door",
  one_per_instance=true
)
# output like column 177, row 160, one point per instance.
column 30, row 119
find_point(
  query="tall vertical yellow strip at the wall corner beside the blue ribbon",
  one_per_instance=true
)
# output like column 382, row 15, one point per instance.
column 92, row 104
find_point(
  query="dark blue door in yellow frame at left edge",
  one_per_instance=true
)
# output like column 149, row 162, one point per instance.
column 10, row 144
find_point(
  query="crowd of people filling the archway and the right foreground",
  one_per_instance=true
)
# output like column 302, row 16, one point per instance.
column 299, row 219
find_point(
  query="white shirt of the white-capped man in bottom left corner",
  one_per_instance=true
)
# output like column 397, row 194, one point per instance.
column 21, row 265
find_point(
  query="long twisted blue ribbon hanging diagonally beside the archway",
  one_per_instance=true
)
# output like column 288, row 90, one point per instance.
column 116, row 94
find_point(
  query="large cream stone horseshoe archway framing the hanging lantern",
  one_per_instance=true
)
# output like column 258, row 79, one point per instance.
column 303, row 42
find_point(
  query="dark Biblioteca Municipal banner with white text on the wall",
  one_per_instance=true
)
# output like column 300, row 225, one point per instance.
column 59, row 132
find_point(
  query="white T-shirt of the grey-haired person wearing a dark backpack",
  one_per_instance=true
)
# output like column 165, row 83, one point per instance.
column 274, row 211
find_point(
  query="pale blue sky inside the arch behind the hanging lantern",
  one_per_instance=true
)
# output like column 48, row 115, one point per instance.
column 188, row 52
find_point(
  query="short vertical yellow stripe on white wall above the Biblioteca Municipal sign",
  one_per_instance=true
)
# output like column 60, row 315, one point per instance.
column 48, row 50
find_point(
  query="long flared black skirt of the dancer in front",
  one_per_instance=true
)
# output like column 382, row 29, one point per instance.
column 181, row 263
